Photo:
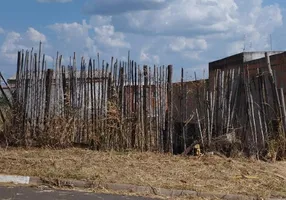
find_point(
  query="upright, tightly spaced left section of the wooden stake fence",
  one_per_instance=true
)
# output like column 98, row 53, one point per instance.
column 120, row 105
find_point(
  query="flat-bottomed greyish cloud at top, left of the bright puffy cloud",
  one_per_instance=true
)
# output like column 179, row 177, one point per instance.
column 186, row 17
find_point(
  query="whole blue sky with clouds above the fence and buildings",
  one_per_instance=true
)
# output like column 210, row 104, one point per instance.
column 185, row 33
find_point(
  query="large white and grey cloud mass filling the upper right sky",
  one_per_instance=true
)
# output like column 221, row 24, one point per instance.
column 202, row 29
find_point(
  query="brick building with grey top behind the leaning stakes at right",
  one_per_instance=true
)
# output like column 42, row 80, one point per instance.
column 253, row 63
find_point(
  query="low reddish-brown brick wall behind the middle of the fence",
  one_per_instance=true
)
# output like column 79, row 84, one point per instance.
column 185, row 99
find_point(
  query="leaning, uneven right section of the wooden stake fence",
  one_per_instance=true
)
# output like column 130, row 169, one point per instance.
column 242, row 107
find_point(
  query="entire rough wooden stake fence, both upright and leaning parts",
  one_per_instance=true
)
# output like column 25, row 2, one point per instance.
column 121, row 105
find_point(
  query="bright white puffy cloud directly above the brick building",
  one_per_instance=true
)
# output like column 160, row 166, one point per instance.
column 256, row 25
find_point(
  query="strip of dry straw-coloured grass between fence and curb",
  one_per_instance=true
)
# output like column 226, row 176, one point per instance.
column 208, row 174
